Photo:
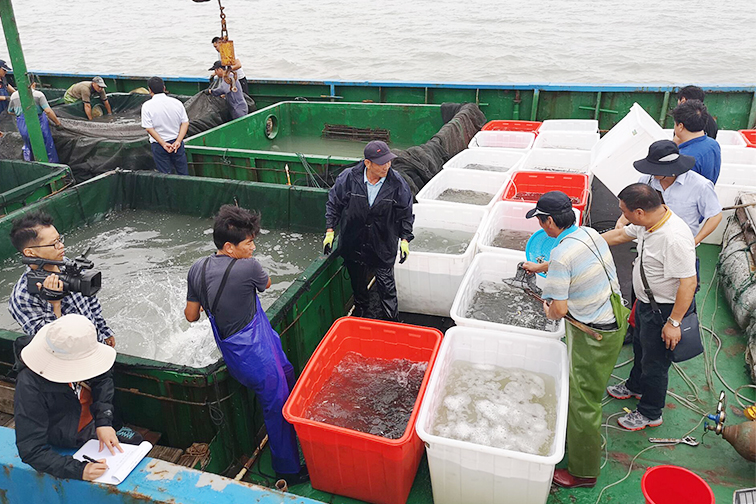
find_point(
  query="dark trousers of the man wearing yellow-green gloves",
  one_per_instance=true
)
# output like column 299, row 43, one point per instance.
column 360, row 275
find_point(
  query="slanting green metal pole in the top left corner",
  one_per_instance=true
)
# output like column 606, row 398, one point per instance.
column 22, row 80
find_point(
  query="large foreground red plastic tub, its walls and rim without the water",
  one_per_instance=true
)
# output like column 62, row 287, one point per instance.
column 346, row 462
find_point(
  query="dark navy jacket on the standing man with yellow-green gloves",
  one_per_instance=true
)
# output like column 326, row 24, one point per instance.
column 370, row 234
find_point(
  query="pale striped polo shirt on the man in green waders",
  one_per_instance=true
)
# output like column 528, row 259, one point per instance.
column 576, row 275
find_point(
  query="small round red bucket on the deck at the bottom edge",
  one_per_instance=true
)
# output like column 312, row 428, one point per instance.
column 675, row 485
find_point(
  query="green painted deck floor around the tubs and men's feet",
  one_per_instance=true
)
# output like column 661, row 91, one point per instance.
column 714, row 460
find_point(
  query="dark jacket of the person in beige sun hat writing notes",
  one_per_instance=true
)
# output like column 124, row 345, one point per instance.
column 47, row 414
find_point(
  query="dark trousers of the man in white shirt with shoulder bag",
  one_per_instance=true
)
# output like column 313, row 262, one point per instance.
column 649, row 375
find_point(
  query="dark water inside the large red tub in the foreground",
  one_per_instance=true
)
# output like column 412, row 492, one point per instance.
column 370, row 395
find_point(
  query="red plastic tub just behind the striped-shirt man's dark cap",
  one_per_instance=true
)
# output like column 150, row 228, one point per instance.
column 536, row 183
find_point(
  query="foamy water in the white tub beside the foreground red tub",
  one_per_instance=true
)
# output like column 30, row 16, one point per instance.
column 507, row 408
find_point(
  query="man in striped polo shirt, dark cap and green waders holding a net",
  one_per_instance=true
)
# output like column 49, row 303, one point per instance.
column 581, row 280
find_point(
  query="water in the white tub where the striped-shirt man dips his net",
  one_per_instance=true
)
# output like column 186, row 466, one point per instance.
column 501, row 303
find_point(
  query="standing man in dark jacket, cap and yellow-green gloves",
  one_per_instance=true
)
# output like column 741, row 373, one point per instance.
column 373, row 205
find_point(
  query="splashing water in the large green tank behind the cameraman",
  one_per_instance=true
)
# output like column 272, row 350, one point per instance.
column 144, row 257
